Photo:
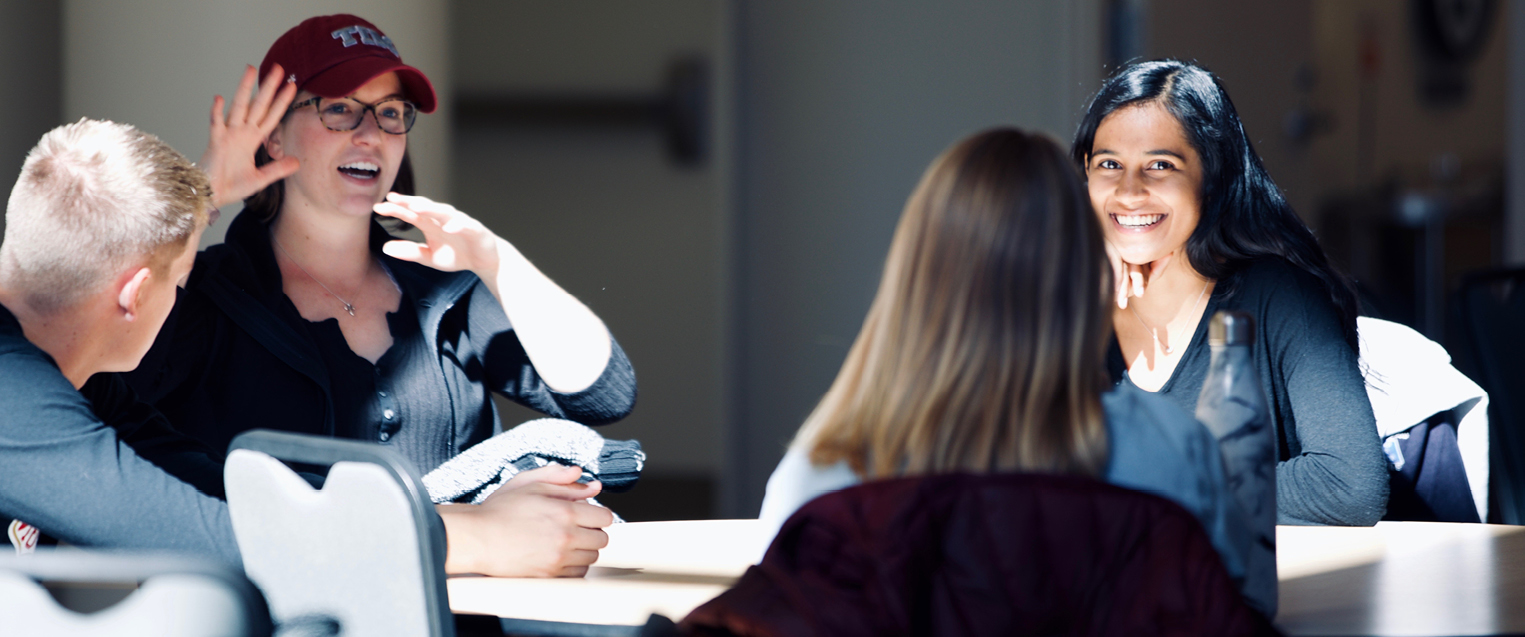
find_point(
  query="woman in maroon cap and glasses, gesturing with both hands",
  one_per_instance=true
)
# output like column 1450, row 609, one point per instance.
column 312, row 319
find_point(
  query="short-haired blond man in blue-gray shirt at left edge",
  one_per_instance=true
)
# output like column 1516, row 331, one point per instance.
column 101, row 228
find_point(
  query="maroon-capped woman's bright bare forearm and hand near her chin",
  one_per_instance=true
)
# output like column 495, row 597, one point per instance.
column 567, row 342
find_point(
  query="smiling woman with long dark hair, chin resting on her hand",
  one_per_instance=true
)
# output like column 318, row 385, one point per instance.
column 1195, row 225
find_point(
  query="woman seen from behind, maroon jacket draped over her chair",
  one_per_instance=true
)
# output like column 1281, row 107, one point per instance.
column 984, row 354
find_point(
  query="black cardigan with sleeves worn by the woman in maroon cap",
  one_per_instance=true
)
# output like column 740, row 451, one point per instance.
column 236, row 356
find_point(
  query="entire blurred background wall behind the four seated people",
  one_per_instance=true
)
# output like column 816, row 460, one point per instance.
column 719, row 179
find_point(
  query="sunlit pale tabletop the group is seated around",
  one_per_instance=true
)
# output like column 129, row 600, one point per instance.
column 1392, row 580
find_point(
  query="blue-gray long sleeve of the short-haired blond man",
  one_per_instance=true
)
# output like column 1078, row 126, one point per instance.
column 65, row 472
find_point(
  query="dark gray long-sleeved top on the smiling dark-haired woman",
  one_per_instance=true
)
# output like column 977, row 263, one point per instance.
column 1331, row 470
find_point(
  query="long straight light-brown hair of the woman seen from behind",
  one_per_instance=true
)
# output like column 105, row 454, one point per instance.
column 984, row 347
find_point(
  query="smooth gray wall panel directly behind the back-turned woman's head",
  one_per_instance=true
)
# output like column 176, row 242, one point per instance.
column 841, row 109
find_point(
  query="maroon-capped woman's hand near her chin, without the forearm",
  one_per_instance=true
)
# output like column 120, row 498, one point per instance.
column 454, row 240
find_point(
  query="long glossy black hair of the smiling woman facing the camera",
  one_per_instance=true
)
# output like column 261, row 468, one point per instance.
column 1244, row 213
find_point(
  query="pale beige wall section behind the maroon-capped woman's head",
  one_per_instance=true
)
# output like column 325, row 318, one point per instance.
column 158, row 65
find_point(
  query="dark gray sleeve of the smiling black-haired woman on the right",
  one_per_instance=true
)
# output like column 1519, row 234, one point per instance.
column 1337, row 475
